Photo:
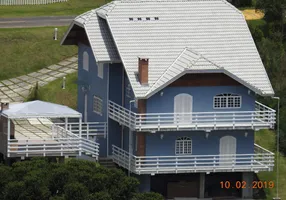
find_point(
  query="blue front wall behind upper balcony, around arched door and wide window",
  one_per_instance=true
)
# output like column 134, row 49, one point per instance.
column 202, row 98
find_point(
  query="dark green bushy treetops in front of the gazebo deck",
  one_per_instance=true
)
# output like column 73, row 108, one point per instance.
column 39, row 179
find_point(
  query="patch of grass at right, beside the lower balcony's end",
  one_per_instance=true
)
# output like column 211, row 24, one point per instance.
column 266, row 139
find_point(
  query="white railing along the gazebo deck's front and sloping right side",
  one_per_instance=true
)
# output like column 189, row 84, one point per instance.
column 62, row 143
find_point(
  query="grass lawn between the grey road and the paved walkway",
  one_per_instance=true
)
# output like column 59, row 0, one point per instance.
column 30, row 49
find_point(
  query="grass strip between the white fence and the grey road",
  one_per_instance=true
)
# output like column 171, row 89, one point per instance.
column 71, row 7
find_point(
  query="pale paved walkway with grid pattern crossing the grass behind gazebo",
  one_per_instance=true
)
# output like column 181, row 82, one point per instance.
column 17, row 89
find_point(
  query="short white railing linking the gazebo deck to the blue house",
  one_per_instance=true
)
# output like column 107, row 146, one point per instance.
column 88, row 129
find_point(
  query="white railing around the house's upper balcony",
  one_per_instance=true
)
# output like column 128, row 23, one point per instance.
column 262, row 117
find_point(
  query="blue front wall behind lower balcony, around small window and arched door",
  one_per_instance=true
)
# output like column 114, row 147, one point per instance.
column 155, row 146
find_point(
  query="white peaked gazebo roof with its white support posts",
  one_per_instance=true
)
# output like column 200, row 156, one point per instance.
column 40, row 109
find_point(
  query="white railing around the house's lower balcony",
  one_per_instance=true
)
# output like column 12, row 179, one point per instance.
column 262, row 161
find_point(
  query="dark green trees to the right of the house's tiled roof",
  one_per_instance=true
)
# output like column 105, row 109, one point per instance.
column 270, row 41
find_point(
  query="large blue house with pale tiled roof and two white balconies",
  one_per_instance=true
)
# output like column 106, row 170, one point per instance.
column 176, row 81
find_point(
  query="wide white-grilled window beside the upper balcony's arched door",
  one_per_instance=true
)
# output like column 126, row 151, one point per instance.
column 227, row 101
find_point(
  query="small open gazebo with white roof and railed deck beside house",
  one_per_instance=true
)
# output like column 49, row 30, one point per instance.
column 27, row 130
